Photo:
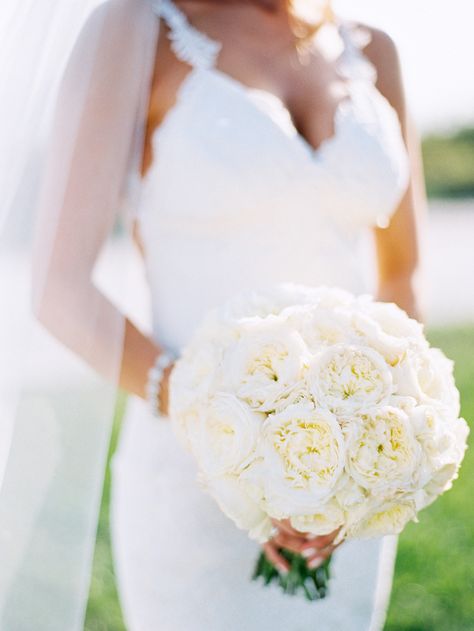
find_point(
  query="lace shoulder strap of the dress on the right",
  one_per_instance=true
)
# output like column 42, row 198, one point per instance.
column 353, row 63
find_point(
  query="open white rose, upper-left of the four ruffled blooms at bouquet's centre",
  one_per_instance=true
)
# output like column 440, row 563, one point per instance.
column 267, row 359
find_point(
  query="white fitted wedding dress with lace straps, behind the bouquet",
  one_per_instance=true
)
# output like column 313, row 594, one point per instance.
column 237, row 199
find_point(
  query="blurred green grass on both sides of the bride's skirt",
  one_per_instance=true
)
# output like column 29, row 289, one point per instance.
column 434, row 580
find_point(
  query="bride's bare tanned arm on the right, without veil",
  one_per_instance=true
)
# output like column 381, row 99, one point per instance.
column 397, row 246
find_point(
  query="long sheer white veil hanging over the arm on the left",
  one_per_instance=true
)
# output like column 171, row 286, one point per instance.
column 76, row 79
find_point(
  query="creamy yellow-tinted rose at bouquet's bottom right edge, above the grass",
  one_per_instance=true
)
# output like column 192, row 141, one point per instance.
column 388, row 519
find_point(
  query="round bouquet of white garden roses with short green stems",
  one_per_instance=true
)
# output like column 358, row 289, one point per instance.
column 316, row 406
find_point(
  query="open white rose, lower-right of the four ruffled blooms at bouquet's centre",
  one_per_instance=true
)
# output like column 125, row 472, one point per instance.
column 383, row 453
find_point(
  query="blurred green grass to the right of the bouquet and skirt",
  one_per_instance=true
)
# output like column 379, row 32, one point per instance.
column 434, row 580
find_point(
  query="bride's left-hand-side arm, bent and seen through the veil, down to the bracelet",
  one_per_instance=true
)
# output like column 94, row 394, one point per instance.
column 94, row 127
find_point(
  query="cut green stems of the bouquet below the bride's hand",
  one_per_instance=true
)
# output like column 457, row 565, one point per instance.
column 312, row 583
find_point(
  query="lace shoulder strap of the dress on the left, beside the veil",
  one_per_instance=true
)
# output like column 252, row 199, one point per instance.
column 188, row 43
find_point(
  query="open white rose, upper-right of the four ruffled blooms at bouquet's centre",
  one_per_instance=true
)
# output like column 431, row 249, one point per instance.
column 347, row 379
